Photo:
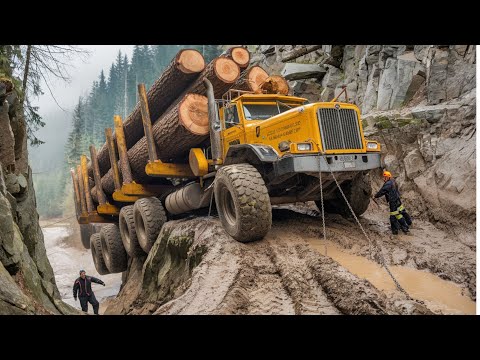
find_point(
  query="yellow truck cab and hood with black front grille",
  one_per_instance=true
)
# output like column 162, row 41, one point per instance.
column 291, row 126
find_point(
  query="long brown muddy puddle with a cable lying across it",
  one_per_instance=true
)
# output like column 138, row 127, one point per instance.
column 438, row 294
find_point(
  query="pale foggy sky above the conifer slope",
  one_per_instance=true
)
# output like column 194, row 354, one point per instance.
column 83, row 73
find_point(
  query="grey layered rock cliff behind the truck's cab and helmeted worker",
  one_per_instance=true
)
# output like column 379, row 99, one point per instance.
column 418, row 101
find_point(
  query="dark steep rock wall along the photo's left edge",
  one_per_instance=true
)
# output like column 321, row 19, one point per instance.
column 27, row 283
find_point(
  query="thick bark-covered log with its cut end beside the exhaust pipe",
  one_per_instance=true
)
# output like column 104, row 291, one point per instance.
column 182, row 127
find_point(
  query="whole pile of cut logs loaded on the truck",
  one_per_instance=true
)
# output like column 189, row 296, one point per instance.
column 180, row 108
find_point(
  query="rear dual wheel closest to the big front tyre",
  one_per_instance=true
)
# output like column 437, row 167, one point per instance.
column 149, row 216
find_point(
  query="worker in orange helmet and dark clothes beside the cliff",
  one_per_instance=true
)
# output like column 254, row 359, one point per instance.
column 399, row 218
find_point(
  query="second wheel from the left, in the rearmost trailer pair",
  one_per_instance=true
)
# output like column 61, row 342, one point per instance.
column 112, row 248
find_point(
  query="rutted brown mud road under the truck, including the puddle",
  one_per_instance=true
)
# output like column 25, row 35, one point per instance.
column 195, row 268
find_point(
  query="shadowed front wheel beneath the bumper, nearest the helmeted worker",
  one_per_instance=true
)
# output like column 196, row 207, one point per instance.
column 357, row 191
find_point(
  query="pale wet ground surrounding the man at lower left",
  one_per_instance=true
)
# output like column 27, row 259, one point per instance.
column 67, row 258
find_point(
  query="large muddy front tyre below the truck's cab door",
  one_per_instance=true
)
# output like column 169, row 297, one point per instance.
column 242, row 202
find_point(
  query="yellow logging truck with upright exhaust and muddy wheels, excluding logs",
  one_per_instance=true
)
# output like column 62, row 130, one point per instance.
column 263, row 150
